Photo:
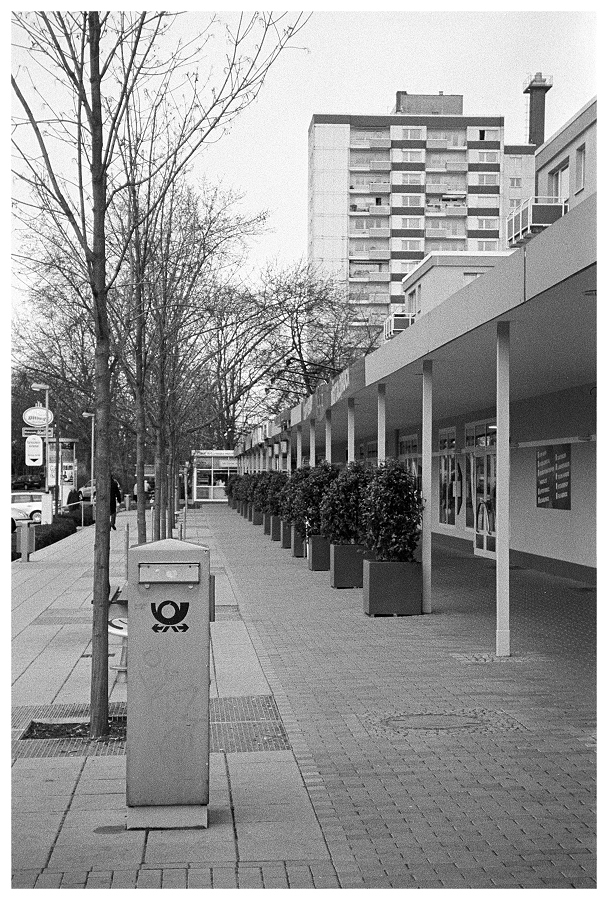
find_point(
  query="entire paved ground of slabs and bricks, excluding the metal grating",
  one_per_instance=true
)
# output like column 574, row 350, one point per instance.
column 417, row 758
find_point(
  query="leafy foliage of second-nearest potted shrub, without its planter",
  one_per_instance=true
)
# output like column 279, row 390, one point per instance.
column 341, row 507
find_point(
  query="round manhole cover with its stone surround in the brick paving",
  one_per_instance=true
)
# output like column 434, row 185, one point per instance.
column 438, row 721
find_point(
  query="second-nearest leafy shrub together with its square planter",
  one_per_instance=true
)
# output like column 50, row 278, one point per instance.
column 342, row 525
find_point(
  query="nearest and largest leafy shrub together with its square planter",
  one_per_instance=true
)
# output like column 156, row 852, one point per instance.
column 392, row 517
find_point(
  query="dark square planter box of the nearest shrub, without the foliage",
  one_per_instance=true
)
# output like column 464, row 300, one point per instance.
column 392, row 588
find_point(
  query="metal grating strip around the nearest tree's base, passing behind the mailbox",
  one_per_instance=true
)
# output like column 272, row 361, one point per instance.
column 236, row 725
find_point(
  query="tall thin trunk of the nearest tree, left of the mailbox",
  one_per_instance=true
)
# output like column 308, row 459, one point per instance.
column 97, row 272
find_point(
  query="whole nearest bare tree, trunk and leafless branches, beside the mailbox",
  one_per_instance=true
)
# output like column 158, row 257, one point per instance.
column 92, row 67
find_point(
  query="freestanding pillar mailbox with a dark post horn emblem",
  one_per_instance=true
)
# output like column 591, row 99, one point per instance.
column 168, row 685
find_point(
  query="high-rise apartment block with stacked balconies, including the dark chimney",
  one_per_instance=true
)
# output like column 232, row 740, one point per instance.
column 384, row 191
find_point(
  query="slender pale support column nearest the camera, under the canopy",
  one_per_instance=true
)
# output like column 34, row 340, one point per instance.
column 503, row 477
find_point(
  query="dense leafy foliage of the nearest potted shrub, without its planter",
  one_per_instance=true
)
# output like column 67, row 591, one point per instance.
column 392, row 513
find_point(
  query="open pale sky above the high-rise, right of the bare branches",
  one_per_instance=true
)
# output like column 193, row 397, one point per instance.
column 354, row 62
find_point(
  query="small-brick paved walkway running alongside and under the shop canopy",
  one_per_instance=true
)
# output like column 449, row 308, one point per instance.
column 509, row 804
